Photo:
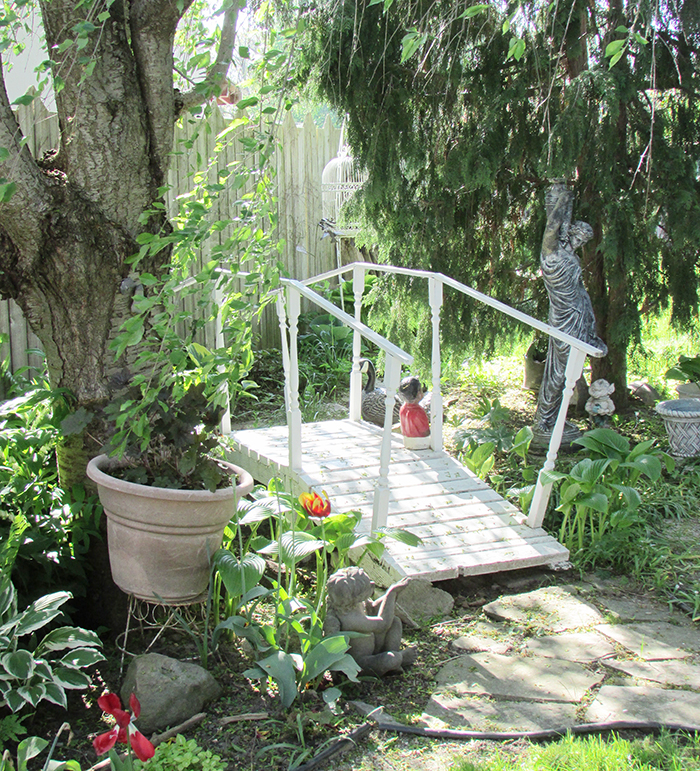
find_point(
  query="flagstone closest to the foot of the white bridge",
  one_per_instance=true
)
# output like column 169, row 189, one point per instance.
column 555, row 608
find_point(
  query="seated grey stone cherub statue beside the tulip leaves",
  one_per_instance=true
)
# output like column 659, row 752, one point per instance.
column 351, row 609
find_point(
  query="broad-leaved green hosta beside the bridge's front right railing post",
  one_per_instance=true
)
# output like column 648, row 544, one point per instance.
column 599, row 493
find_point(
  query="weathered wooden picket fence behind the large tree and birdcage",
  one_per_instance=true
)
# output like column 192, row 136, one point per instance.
column 303, row 151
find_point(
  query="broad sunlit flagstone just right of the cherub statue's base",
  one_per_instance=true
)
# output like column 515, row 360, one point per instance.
column 517, row 677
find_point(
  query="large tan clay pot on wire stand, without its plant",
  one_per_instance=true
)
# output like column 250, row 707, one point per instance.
column 160, row 540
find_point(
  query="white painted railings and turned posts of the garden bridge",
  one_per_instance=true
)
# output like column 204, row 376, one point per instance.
column 395, row 357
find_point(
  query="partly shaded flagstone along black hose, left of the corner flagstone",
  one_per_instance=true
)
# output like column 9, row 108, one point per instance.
column 447, row 710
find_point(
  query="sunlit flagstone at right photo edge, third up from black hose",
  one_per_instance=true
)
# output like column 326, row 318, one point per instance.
column 654, row 641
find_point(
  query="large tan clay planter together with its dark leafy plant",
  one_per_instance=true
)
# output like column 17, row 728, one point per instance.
column 168, row 495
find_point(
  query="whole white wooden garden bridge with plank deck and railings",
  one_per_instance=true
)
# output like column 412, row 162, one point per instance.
column 465, row 526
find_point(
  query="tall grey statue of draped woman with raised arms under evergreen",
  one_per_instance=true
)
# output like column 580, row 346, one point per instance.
column 570, row 308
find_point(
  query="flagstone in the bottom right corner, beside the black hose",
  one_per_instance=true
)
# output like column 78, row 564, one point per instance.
column 645, row 703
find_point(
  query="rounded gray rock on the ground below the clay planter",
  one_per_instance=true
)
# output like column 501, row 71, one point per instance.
column 169, row 691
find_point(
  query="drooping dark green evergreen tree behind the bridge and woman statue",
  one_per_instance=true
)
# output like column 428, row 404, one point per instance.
column 462, row 112
